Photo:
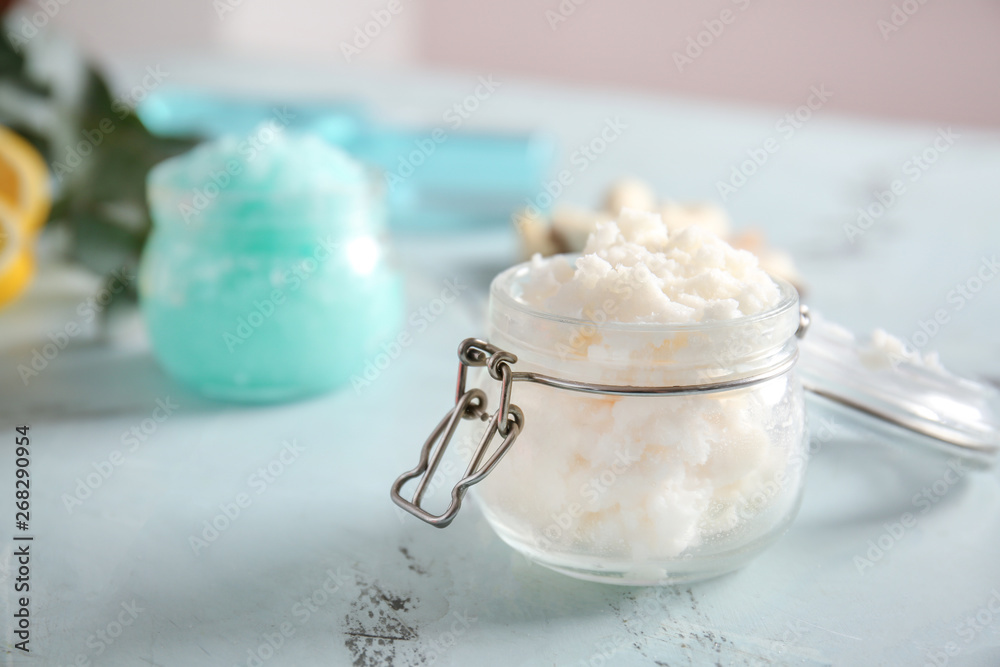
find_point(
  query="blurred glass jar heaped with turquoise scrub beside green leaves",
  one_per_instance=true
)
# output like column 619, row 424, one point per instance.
column 265, row 277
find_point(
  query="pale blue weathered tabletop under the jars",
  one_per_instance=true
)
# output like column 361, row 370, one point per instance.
column 386, row 588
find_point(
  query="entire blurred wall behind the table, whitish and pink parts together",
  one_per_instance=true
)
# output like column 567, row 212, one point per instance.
column 942, row 65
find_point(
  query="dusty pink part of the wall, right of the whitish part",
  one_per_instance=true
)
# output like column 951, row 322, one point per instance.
column 942, row 65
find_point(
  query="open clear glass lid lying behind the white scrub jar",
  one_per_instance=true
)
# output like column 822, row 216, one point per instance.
column 880, row 385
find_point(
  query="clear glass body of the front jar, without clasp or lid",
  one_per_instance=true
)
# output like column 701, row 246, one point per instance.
column 650, row 488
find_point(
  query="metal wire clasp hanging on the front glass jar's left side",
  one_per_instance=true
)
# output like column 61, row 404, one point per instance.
column 507, row 421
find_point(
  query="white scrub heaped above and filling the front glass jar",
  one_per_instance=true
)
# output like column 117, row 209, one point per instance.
column 644, row 489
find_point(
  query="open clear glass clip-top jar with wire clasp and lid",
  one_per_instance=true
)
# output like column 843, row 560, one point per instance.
column 645, row 454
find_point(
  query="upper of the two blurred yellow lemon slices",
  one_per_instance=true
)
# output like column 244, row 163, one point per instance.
column 24, row 181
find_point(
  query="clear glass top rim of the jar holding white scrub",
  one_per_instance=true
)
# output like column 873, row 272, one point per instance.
column 500, row 289
